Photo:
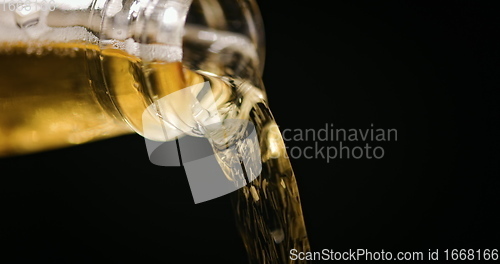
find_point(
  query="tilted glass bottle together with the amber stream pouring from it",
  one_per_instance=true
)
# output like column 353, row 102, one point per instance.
column 76, row 71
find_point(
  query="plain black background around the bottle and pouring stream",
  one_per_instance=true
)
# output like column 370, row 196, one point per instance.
column 429, row 70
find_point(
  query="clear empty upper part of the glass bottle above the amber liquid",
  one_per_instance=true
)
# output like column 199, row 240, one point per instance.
column 150, row 29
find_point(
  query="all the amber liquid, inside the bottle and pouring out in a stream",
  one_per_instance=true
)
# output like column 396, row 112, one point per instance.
column 56, row 95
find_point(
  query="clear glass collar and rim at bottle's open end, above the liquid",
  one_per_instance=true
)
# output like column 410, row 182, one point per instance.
column 160, row 30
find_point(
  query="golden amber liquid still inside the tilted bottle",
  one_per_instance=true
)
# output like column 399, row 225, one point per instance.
column 47, row 98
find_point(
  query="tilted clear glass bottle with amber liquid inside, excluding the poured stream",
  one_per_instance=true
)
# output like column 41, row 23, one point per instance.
column 77, row 71
